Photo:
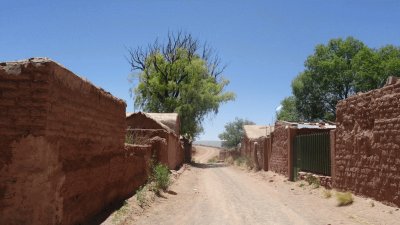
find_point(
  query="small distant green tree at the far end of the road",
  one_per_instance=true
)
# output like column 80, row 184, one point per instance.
column 234, row 132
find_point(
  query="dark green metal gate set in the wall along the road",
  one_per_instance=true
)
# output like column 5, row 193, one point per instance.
column 311, row 153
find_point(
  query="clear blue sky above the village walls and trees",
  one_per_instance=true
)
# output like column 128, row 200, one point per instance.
column 264, row 43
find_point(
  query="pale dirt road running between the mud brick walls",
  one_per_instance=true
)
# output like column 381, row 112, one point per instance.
column 216, row 194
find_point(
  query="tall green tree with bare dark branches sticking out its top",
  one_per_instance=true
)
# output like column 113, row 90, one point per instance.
column 179, row 76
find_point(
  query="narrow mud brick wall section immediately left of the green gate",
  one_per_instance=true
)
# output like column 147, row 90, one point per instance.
column 278, row 161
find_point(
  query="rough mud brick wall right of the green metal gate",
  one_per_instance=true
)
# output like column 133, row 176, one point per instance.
column 368, row 144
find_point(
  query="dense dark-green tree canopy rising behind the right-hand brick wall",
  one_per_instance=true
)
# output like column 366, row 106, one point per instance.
column 338, row 70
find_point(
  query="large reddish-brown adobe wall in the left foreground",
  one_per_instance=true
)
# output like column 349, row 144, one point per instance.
column 63, row 158
